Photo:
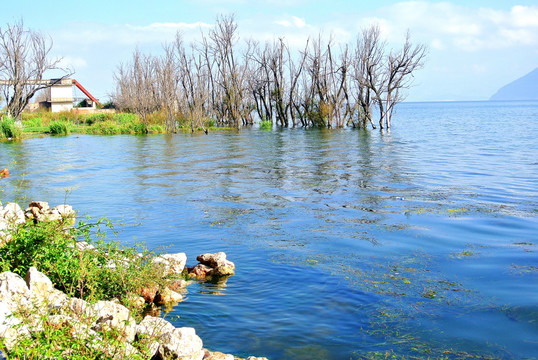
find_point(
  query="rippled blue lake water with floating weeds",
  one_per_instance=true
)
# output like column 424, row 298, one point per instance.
column 421, row 242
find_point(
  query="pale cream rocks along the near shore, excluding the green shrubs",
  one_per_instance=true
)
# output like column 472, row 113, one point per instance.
column 31, row 305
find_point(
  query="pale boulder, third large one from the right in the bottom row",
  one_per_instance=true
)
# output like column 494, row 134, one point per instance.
column 112, row 316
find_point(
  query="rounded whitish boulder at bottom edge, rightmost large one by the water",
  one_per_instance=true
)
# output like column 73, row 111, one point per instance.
column 182, row 344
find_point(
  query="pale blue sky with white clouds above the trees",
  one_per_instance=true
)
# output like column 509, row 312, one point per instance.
column 475, row 46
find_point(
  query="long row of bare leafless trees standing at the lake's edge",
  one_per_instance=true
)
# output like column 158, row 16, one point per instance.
column 323, row 85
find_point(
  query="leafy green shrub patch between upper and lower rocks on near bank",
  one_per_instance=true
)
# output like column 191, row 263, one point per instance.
column 102, row 271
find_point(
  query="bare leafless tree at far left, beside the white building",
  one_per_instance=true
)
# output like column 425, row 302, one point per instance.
column 24, row 59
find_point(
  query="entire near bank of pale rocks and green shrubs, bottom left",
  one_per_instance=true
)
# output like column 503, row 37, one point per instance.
column 69, row 291
